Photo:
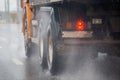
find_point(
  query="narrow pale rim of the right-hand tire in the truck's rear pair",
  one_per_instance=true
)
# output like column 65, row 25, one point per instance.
column 50, row 53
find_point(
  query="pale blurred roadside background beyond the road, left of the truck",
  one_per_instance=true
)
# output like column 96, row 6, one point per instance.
column 10, row 11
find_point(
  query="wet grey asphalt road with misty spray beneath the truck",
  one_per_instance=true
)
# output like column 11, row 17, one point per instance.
column 14, row 65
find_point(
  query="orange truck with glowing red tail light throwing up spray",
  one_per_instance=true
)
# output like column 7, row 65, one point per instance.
column 57, row 23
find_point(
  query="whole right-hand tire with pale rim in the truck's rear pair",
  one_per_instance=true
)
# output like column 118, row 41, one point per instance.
column 52, row 56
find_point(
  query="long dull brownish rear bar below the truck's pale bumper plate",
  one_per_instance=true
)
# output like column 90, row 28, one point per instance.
column 85, row 46
